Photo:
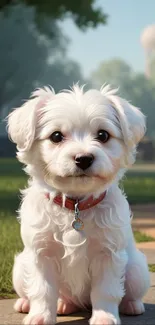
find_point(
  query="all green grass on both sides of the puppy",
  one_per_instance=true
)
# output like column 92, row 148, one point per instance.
column 139, row 187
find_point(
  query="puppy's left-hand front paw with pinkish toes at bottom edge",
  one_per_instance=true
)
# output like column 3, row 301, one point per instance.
column 39, row 319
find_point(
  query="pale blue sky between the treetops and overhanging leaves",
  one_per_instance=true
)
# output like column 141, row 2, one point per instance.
column 119, row 38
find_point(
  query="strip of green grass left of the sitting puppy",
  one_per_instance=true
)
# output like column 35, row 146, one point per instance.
column 11, row 179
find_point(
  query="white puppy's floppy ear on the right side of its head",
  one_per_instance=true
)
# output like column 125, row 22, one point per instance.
column 132, row 120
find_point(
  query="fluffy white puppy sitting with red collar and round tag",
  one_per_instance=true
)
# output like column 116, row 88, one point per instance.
column 75, row 221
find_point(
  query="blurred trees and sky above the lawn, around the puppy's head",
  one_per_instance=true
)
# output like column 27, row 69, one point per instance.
column 56, row 42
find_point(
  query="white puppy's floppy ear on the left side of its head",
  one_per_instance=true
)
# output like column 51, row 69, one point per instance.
column 22, row 121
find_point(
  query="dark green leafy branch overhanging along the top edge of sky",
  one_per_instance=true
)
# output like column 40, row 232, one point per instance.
column 83, row 12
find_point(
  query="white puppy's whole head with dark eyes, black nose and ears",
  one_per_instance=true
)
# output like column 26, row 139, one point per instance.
column 77, row 142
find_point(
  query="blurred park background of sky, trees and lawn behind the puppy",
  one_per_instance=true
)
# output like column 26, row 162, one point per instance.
column 58, row 43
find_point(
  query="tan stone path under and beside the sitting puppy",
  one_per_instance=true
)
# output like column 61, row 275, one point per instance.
column 144, row 220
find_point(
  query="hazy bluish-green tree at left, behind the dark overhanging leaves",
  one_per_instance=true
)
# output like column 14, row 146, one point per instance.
column 29, row 59
